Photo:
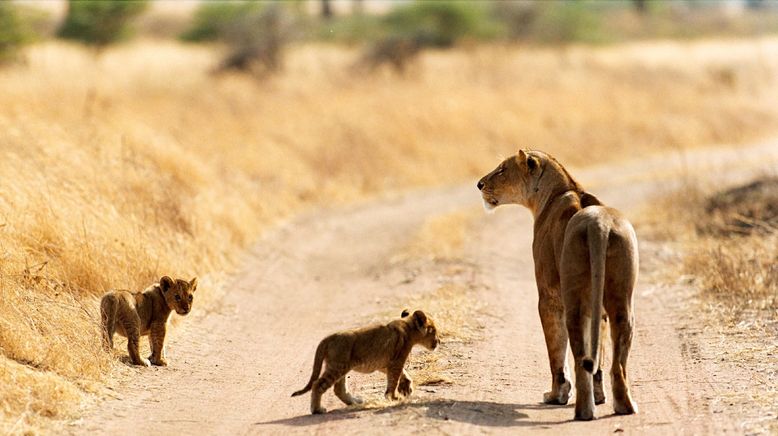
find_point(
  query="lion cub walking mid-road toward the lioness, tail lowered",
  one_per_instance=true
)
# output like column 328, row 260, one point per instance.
column 382, row 348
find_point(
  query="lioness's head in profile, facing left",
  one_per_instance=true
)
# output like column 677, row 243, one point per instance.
column 513, row 181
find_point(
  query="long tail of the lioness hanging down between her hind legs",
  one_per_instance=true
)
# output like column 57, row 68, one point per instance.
column 597, row 236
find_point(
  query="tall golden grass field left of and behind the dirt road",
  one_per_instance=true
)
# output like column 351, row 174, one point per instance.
column 120, row 168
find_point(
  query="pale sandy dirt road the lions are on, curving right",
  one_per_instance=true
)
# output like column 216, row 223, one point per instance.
column 232, row 371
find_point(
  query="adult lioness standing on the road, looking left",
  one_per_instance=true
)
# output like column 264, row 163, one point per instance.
column 586, row 257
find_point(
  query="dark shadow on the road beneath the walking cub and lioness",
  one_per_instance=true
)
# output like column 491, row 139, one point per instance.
column 485, row 413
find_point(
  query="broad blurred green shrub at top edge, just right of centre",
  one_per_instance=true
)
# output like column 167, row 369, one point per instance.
column 441, row 23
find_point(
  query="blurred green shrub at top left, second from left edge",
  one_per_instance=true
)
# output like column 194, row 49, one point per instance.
column 99, row 22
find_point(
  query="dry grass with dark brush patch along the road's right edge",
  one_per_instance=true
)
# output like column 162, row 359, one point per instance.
column 728, row 248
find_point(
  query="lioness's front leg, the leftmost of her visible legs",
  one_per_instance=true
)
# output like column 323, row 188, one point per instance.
column 552, row 318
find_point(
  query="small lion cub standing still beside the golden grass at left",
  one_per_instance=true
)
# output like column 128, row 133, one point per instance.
column 136, row 314
